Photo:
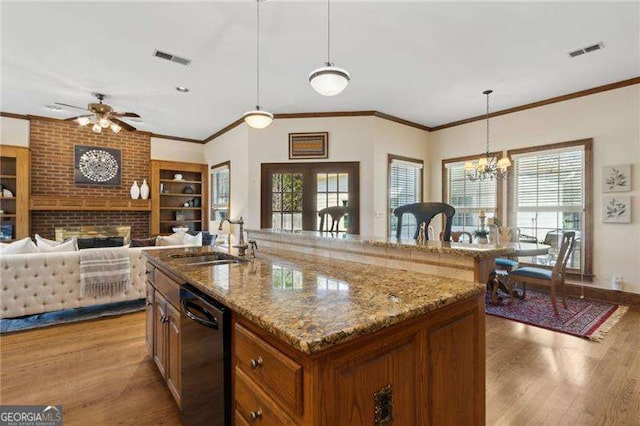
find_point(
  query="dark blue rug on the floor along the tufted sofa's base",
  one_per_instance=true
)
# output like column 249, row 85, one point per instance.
column 10, row 325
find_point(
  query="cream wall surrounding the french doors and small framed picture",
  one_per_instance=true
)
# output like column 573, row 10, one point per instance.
column 365, row 139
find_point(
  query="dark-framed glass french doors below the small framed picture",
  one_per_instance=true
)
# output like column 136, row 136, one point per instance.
column 293, row 193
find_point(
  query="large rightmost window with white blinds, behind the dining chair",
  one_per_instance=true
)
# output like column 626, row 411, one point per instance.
column 548, row 194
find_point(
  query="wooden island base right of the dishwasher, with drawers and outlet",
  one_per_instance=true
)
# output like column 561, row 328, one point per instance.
column 424, row 371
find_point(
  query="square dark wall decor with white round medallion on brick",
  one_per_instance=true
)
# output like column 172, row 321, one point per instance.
column 97, row 166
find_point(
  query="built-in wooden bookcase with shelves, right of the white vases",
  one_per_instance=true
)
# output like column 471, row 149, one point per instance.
column 169, row 196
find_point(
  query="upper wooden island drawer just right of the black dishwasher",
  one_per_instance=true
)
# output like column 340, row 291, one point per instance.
column 270, row 368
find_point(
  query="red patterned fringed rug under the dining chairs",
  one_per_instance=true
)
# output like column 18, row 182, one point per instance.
column 586, row 318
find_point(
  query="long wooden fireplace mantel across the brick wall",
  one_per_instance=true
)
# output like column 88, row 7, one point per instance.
column 50, row 203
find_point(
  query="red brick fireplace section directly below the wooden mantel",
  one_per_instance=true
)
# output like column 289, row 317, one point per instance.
column 45, row 223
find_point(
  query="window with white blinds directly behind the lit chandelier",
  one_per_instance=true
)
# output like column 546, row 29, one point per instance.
column 469, row 197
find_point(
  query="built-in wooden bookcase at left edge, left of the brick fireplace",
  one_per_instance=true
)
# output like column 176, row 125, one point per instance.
column 14, row 177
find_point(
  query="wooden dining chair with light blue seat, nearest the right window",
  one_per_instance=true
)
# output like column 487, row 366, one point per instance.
column 553, row 278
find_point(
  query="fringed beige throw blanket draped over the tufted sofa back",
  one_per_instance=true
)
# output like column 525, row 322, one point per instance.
column 104, row 271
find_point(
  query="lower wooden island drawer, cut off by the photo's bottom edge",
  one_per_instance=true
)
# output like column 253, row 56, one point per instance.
column 254, row 406
